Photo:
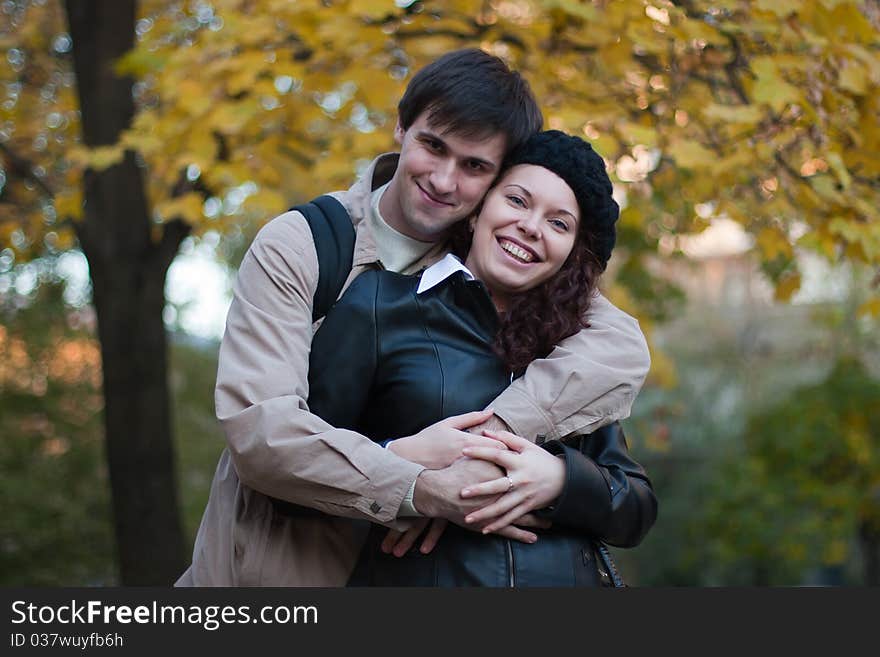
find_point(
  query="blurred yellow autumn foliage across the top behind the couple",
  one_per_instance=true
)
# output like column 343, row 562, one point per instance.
column 764, row 112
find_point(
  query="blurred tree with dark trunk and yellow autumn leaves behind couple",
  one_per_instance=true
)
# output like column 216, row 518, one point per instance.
column 761, row 111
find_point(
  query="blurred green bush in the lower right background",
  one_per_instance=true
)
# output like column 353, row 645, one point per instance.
column 804, row 485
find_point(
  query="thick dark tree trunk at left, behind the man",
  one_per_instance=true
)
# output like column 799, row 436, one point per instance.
column 128, row 270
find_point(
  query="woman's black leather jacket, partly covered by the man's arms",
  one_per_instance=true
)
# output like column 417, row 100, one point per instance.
column 387, row 362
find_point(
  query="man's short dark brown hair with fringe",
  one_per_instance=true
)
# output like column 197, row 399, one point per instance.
column 473, row 94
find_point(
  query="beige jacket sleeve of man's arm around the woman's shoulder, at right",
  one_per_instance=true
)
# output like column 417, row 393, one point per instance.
column 588, row 381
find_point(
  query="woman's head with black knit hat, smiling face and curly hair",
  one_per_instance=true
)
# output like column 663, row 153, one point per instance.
column 554, row 204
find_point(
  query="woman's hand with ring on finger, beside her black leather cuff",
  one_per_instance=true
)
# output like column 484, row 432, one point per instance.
column 534, row 479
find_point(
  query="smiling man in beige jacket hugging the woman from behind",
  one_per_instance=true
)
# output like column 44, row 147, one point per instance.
column 458, row 119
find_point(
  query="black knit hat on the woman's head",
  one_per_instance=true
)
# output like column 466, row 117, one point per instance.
column 574, row 160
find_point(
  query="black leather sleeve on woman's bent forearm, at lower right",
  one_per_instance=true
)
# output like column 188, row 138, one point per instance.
column 607, row 494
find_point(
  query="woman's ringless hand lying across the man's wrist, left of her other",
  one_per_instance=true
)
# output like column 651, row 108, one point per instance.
column 440, row 444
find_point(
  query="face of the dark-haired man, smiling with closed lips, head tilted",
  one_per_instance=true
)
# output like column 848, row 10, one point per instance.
column 440, row 179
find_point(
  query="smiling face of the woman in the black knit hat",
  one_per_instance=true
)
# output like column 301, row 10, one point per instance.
column 524, row 233
